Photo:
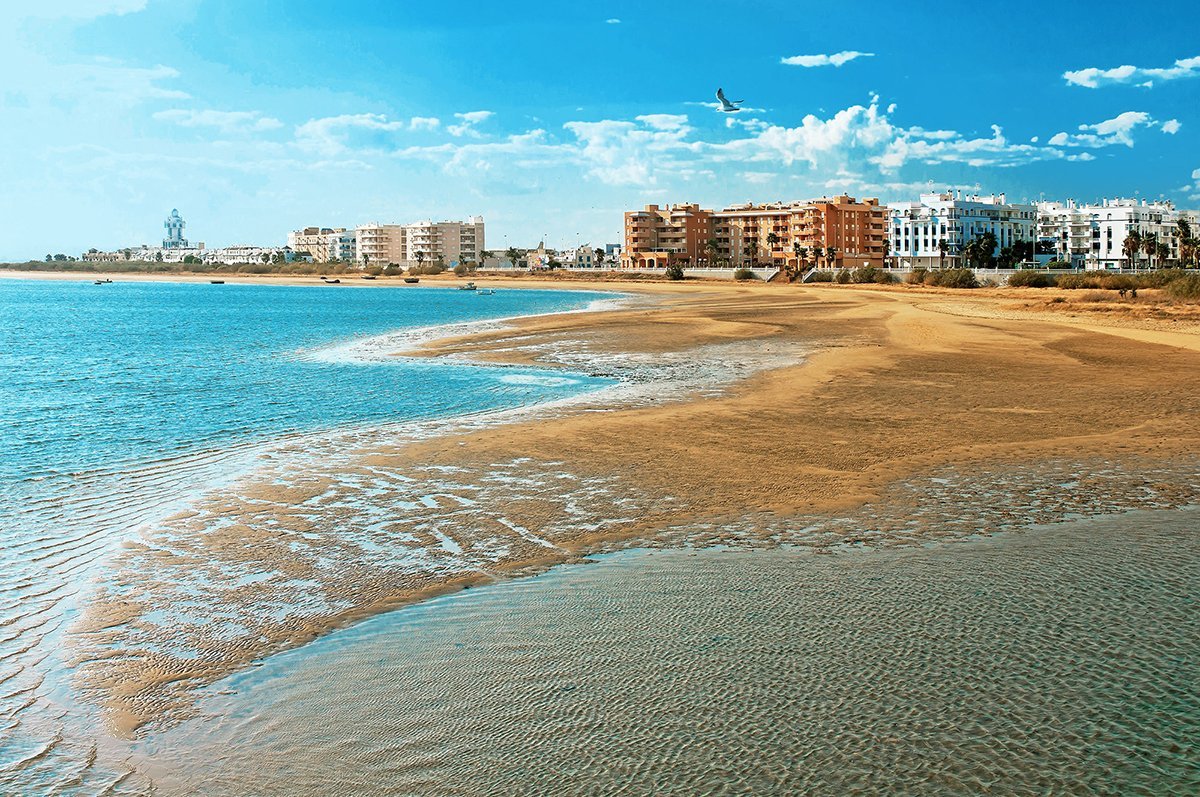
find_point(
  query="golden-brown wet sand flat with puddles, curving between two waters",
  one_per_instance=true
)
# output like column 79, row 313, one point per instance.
column 758, row 409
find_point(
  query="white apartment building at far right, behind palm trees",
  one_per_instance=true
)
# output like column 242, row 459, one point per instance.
column 1093, row 236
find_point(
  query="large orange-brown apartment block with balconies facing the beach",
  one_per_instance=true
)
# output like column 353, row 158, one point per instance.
column 778, row 235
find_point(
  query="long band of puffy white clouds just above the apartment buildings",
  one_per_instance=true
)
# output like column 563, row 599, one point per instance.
column 656, row 149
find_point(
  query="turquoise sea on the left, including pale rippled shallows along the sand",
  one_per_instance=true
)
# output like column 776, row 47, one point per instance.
column 122, row 403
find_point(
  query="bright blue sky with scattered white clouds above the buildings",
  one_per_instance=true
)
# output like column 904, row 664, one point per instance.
column 551, row 119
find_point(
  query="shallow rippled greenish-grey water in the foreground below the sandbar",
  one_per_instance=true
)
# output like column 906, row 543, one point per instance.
column 1064, row 661
